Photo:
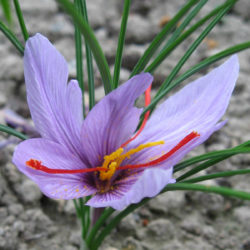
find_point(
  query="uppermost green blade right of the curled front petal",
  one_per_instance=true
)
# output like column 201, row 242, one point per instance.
column 232, row 151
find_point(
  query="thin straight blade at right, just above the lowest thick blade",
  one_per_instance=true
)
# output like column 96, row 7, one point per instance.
column 217, row 175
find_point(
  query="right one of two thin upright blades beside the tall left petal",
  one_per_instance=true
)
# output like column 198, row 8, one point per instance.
column 90, row 70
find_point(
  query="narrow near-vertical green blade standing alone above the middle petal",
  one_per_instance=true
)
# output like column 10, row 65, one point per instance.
column 121, row 40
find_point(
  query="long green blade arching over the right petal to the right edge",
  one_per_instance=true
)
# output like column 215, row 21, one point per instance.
column 196, row 68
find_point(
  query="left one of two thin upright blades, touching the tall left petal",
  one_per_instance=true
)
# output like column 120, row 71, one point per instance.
column 79, row 62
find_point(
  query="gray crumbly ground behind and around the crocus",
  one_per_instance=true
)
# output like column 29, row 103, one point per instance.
column 177, row 220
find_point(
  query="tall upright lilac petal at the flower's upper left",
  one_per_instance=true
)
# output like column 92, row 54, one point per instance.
column 56, row 108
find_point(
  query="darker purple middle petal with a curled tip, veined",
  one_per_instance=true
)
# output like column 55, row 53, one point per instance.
column 113, row 120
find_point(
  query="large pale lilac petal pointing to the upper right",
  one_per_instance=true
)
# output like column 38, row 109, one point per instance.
column 197, row 107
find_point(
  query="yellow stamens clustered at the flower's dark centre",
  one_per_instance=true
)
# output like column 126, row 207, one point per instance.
column 114, row 160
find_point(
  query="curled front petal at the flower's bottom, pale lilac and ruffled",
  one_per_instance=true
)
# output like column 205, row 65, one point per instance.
column 149, row 184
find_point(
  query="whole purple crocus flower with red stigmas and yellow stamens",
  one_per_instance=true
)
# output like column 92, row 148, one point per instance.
column 101, row 156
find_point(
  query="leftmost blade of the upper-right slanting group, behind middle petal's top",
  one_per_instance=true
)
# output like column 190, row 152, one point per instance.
column 141, row 64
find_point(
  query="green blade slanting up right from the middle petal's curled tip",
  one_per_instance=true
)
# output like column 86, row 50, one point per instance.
column 173, row 45
